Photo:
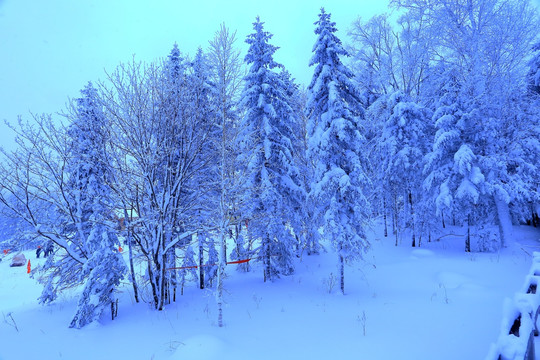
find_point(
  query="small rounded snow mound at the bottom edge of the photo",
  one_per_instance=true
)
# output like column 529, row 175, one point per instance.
column 200, row 347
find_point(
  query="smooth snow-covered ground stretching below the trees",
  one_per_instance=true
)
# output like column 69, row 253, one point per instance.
column 433, row 302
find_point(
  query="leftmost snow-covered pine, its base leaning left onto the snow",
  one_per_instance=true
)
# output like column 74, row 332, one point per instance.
column 89, row 174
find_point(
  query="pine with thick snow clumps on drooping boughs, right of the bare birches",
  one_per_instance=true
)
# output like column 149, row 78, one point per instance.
column 452, row 174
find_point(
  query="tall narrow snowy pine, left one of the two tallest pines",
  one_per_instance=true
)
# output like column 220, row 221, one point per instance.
column 266, row 149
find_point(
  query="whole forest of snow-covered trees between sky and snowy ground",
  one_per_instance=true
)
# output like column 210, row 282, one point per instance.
column 428, row 117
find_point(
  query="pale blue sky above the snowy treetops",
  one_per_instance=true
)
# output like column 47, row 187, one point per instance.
column 50, row 49
